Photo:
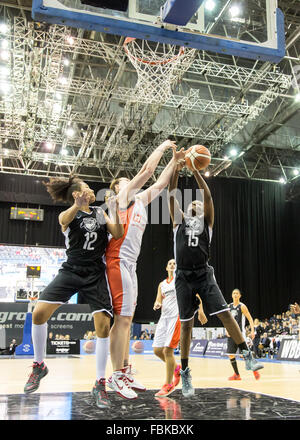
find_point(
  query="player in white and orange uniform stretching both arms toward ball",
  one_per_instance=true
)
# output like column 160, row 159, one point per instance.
column 121, row 257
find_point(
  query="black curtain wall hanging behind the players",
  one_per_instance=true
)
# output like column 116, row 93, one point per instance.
column 255, row 245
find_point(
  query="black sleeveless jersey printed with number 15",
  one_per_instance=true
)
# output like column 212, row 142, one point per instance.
column 191, row 243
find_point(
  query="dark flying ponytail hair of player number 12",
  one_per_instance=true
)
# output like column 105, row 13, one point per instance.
column 61, row 189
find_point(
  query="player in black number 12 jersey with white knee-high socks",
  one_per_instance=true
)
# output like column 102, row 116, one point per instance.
column 86, row 231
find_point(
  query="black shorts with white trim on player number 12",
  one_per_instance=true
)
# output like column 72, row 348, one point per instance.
column 90, row 282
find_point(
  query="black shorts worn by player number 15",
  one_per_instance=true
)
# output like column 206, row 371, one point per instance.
column 202, row 281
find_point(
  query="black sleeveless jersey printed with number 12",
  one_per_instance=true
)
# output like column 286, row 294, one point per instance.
column 86, row 238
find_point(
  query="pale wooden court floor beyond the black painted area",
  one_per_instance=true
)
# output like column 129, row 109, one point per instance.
column 77, row 374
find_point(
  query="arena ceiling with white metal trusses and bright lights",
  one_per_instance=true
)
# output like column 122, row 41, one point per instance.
column 66, row 107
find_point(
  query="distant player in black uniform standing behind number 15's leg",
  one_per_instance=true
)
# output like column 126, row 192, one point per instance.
column 240, row 313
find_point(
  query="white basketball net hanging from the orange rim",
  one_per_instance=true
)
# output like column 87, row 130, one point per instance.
column 159, row 67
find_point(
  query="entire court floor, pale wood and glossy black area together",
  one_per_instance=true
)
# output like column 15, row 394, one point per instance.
column 65, row 392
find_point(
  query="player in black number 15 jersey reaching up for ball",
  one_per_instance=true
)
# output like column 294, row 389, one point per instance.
column 192, row 235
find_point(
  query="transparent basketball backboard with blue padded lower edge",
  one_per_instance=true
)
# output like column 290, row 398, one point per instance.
column 247, row 28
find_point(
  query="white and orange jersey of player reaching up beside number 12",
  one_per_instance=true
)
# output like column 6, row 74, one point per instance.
column 128, row 247
